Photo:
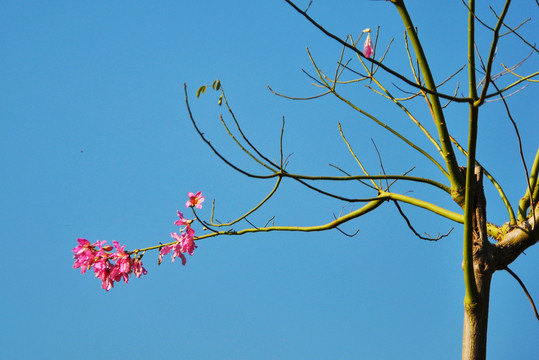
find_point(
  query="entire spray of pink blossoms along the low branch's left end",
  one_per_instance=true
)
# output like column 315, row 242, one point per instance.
column 111, row 266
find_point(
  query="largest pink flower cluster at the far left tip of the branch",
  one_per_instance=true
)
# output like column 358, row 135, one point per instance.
column 108, row 266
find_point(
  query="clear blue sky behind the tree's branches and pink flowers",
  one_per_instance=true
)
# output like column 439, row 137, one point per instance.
column 95, row 142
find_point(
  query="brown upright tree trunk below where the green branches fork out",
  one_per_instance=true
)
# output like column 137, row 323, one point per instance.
column 474, row 339
